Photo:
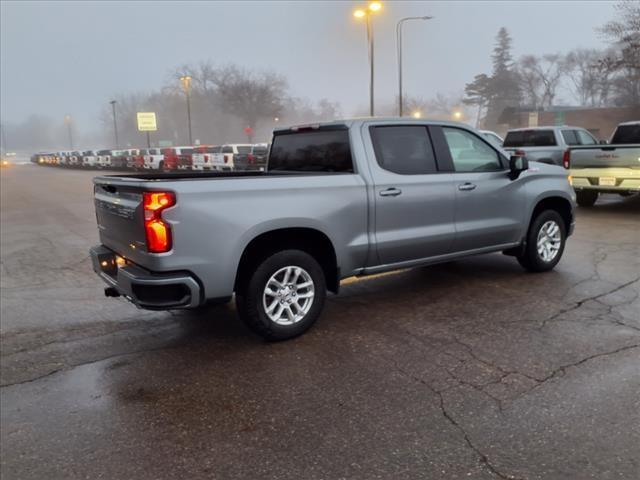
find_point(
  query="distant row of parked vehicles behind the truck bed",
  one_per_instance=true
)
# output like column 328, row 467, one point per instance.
column 200, row 157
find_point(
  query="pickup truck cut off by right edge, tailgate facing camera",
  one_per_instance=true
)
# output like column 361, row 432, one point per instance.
column 610, row 168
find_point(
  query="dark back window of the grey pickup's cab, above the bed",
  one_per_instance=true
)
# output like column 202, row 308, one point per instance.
column 312, row 151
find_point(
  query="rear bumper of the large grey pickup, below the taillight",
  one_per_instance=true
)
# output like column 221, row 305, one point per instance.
column 145, row 289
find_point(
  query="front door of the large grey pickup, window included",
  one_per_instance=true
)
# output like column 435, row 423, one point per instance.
column 489, row 206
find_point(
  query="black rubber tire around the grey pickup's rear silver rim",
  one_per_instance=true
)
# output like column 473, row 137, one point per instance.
column 250, row 292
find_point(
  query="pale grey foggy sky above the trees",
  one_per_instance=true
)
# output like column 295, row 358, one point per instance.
column 72, row 57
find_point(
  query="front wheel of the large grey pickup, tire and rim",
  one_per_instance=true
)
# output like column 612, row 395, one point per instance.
column 545, row 242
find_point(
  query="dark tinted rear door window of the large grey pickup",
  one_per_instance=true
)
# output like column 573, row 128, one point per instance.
column 405, row 150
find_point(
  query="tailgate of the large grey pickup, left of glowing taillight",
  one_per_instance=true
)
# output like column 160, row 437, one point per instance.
column 120, row 217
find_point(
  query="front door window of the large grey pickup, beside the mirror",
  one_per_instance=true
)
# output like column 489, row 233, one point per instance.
column 469, row 153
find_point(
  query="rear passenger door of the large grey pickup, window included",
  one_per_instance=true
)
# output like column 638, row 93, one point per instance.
column 414, row 202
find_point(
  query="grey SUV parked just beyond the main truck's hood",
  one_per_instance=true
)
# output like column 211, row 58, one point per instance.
column 546, row 144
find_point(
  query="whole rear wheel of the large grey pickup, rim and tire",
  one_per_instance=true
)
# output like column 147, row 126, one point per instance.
column 283, row 297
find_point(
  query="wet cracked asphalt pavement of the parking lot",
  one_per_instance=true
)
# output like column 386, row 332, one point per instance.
column 473, row 369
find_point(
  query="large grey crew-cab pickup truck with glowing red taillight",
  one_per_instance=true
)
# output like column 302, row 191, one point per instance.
column 338, row 199
